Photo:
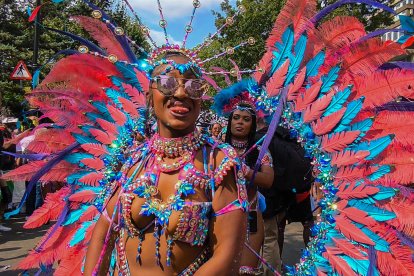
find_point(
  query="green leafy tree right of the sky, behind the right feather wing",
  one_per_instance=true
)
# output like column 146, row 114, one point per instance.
column 257, row 22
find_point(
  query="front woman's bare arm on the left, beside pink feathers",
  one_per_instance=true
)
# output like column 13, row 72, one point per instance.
column 97, row 242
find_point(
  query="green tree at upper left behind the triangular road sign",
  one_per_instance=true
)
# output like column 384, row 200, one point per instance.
column 16, row 35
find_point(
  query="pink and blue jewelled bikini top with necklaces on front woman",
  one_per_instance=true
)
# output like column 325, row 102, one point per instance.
column 194, row 217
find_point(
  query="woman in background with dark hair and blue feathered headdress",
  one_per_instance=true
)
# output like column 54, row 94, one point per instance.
column 241, row 130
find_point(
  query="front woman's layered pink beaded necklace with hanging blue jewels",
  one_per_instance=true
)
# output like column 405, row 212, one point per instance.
column 183, row 151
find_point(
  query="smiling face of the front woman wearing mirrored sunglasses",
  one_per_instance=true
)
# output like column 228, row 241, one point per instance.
column 178, row 113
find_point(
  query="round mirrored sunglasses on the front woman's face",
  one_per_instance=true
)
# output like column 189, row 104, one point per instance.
column 168, row 85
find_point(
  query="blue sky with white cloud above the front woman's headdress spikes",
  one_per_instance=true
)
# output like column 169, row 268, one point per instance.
column 177, row 14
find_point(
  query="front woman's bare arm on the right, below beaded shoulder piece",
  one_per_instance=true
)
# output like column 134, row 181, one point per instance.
column 227, row 232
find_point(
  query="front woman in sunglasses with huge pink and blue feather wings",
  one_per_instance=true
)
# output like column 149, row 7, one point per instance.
column 340, row 88
